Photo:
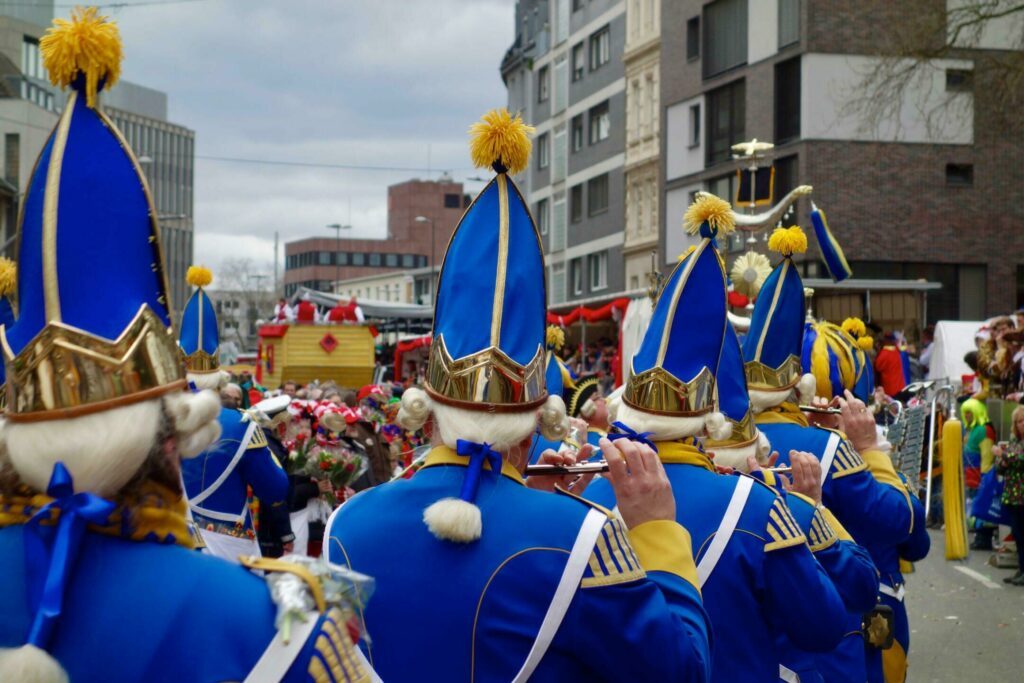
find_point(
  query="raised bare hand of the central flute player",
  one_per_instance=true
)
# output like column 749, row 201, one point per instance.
column 643, row 489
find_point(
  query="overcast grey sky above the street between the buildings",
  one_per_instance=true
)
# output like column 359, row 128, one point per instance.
column 364, row 82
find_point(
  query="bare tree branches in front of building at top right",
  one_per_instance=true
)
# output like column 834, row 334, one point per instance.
column 912, row 53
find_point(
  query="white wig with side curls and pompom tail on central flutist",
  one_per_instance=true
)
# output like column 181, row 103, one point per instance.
column 453, row 519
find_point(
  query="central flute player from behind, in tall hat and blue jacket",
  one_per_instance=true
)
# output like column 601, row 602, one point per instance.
column 479, row 576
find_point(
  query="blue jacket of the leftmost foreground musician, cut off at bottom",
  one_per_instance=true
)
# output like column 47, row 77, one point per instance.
column 146, row 612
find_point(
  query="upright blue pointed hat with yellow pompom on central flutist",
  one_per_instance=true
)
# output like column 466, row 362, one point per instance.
column 489, row 336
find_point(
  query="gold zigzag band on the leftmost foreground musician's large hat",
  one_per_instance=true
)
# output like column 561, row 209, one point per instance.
column 66, row 372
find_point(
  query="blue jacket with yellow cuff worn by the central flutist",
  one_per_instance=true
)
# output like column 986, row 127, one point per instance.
column 448, row 612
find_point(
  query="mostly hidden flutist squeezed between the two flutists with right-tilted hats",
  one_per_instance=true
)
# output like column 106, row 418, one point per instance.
column 848, row 566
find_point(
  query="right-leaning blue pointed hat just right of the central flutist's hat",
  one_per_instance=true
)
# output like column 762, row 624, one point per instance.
column 674, row 369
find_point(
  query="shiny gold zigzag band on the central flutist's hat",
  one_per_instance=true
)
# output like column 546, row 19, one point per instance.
column 486, row 379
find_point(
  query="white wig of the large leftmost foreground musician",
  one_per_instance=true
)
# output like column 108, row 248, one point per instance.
column 104, row 451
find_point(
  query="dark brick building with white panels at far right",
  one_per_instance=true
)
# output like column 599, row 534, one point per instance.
column 908, row 199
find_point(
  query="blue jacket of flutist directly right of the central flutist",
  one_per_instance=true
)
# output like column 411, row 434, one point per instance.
column 765, row 583
